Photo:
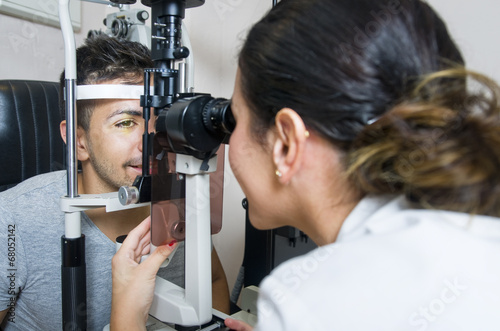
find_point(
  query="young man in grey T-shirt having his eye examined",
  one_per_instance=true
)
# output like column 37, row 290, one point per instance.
column 109, row 147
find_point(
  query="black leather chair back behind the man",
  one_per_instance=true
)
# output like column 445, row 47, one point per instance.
column 30, row 140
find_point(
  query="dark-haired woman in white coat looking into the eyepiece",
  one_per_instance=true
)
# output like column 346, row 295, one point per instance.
column 358, row 124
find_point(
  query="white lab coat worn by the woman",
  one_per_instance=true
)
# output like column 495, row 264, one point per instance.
column 392, row 268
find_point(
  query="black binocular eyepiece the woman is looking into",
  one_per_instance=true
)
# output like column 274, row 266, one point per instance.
column 195, row 125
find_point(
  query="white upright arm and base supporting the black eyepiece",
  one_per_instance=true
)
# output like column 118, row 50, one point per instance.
column 192, row 306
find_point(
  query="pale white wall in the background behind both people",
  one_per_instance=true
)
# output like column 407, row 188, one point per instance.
column 34, row 51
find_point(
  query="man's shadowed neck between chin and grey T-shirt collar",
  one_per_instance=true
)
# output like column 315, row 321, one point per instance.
column 113, row 224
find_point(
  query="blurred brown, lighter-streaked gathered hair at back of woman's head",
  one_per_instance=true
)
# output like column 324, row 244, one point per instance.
column 441, row 148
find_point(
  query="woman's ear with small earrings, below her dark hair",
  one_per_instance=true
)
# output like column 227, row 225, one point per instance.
column 289, row 146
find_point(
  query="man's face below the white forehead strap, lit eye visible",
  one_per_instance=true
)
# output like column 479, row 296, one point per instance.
column 114, row 142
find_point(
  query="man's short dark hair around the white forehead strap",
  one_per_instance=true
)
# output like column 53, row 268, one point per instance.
column 102, row 58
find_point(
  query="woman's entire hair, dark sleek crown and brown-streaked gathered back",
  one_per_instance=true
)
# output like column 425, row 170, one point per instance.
column 384, row 82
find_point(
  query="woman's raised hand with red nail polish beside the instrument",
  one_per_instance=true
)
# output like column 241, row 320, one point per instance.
column 134, row 283
